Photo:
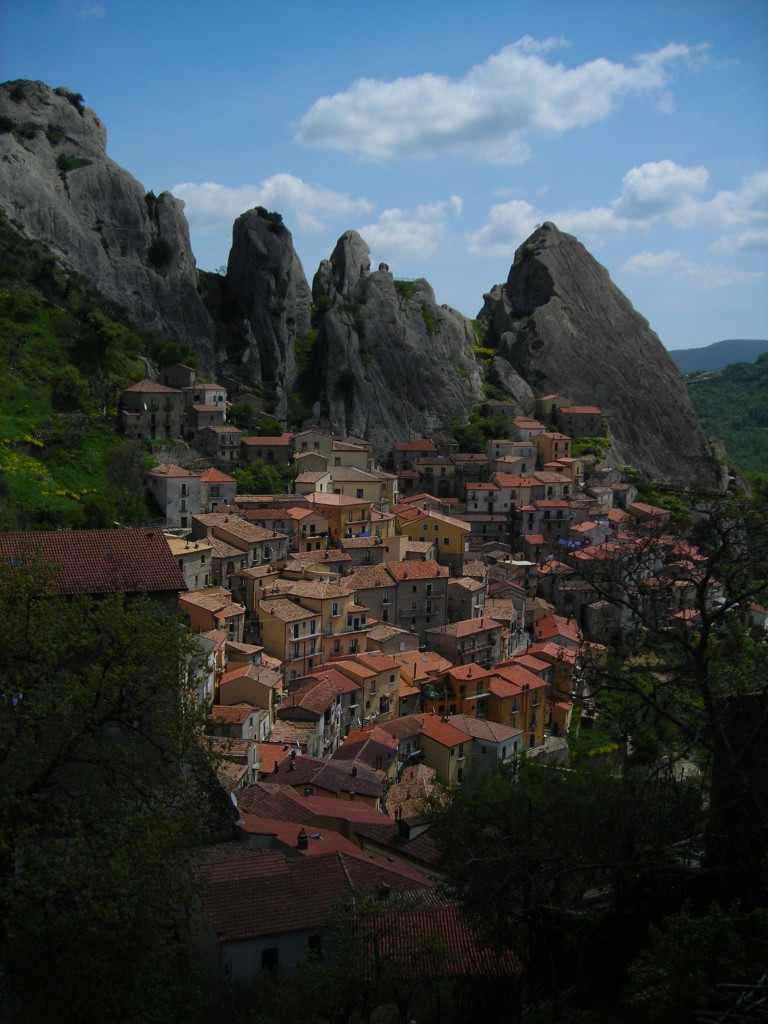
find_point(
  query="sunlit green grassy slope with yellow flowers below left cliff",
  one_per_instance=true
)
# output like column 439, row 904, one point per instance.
column 65, row 357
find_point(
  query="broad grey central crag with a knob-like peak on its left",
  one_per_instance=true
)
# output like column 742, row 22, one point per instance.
column 394, row 365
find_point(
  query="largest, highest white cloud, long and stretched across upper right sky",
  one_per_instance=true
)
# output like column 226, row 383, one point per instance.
column 489, row 113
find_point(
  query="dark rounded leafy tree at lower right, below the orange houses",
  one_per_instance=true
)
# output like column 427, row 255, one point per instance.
column 567, row 868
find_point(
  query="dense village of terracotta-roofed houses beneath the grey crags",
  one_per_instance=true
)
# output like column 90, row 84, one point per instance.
column 372, row 632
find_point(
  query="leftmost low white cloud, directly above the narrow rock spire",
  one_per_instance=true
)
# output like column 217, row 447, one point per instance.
column 212, row 208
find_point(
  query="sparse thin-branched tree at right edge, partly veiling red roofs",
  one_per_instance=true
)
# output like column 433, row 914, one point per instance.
column 702, row 688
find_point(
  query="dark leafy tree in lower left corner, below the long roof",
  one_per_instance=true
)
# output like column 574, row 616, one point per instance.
column 101, row 777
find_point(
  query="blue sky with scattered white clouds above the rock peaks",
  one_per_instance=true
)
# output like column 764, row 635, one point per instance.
column 446, row 133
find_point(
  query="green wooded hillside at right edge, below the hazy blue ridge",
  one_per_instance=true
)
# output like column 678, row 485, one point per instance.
column 733, row 405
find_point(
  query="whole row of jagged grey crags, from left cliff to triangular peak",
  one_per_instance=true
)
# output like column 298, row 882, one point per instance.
column 387, row 361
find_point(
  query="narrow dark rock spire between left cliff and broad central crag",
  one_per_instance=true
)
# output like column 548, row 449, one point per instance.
column 270, row 298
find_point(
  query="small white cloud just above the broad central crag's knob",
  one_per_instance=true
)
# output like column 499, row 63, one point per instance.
column 411, row 234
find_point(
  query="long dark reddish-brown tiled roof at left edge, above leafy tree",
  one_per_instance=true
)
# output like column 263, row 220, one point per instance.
column 100, row 562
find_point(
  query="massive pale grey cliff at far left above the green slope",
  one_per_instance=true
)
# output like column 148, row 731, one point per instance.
column 59, row 186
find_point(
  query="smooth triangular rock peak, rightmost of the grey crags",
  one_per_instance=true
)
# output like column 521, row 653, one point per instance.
column 565, row 327
